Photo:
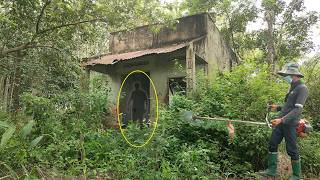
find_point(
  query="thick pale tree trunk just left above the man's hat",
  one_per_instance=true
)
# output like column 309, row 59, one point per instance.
column 271, row 56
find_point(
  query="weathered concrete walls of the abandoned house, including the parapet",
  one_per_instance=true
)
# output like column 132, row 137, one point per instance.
column 212, row 50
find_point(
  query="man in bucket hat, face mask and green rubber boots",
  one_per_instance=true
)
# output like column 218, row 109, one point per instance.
column 285, row 125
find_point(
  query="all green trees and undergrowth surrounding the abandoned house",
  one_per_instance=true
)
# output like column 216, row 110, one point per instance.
column 51, row 125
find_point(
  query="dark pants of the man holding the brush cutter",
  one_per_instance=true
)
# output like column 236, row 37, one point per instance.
column 288, row 132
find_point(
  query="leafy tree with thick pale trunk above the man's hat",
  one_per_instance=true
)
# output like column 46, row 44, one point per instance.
column 287, row 35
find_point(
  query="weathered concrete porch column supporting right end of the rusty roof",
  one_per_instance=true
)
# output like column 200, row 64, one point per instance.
column 190, row 68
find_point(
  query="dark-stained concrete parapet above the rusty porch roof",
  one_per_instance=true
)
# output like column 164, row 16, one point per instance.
column 143, row 38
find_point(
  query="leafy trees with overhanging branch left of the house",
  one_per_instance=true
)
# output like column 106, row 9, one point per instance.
column 42, row 41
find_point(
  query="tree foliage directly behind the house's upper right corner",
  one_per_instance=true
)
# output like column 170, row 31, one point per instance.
column 232, row 17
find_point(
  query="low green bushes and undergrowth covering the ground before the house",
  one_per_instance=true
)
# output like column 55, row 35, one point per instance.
column 75, row 142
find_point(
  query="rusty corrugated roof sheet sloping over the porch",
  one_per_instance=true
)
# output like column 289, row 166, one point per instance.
column 114, row 58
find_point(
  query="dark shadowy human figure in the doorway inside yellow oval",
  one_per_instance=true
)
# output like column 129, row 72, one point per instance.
column 138, row 100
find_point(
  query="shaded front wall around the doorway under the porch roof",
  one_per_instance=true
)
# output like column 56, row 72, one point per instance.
column 161, row 68
